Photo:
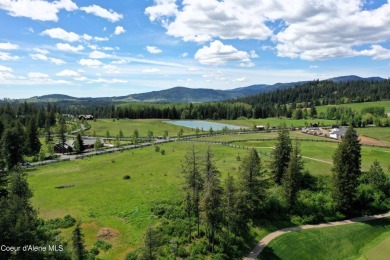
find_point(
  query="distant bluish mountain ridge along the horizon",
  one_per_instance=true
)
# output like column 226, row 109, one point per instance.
column 186, row 95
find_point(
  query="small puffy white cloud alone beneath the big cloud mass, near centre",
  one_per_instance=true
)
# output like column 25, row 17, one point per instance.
column 219, row 54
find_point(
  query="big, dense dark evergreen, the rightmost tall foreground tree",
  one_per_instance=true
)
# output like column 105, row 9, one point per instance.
column 346, row 170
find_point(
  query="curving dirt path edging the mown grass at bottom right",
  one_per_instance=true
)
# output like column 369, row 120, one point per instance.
column 265, row 241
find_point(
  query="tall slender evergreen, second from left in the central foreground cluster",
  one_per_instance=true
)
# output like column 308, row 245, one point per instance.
column 211, row 199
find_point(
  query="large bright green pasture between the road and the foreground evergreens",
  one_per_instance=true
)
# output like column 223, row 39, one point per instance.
column 102, row 198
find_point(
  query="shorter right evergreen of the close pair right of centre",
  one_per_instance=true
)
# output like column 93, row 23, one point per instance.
column 291, row 181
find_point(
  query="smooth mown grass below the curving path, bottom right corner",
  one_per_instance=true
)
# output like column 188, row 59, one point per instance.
column 368, row 240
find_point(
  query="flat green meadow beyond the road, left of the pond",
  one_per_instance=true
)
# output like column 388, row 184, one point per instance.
column 157, row 126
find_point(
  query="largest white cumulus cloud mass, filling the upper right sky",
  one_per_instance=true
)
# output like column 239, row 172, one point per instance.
column 308, row 30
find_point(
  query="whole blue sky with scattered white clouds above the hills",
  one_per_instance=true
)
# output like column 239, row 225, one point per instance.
column 112, row 48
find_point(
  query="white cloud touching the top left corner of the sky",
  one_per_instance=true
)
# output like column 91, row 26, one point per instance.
column 37, row 9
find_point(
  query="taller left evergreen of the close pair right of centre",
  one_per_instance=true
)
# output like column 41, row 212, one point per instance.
column 281, row 154
